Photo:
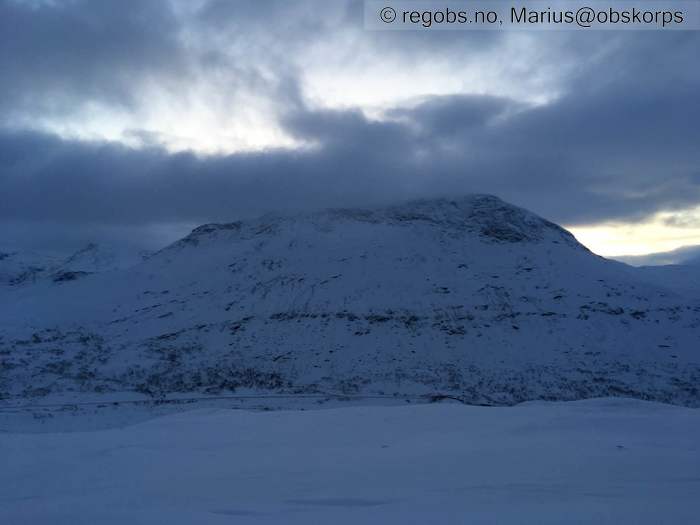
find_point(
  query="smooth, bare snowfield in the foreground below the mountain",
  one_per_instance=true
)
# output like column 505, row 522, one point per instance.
column 599, row 461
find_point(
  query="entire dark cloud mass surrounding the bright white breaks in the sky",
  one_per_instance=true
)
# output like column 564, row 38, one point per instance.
column 620, row 142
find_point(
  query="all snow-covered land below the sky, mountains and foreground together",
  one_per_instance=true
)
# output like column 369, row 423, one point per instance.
column 292, row 340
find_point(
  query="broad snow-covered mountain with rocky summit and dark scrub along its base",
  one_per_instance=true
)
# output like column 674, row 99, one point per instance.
column 469, row 297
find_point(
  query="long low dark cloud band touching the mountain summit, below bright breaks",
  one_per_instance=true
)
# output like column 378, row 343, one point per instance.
column 578, row 159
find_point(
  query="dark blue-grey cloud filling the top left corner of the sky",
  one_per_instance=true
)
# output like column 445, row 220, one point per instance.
column 59, row 55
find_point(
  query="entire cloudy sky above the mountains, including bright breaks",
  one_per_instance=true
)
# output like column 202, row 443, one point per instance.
column 139, row 120
